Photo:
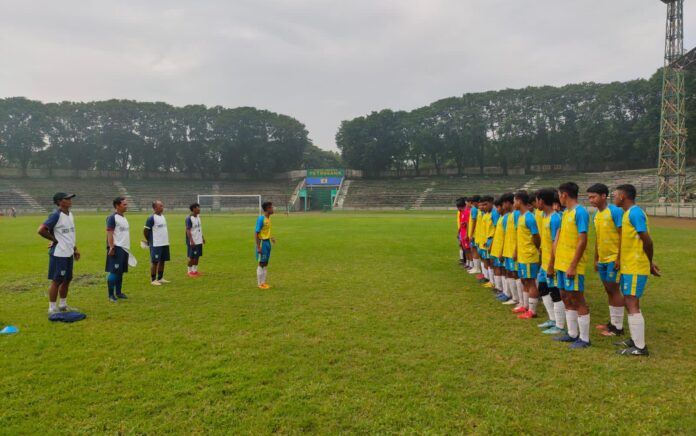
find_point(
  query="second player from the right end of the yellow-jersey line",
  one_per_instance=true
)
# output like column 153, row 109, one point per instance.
column 607, row 223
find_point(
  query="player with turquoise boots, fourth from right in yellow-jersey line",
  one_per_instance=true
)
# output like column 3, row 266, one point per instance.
column 550, row 295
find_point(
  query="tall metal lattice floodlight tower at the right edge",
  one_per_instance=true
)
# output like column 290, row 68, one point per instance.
column 671, row 165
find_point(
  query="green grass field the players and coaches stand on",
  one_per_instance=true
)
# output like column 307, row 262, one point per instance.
column 371, row 327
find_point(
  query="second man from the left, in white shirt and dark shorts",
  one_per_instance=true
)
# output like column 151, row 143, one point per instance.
column 117, row 248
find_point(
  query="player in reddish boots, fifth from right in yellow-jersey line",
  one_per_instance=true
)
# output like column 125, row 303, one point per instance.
column 527, row 255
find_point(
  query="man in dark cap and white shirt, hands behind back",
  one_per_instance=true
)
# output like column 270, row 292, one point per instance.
column 59, row 228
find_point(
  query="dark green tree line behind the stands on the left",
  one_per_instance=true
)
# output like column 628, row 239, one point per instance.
column 124, row 135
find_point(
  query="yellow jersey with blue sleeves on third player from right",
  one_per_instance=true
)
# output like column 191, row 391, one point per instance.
column 573, row 222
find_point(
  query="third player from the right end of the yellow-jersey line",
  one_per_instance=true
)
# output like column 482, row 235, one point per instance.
column 569, row 262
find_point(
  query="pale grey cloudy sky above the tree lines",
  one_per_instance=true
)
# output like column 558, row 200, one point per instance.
column 321, row 61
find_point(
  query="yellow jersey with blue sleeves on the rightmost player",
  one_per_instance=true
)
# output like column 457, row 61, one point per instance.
column 634, row 261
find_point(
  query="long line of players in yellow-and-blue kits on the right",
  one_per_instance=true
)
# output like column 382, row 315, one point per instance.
column 530, row 246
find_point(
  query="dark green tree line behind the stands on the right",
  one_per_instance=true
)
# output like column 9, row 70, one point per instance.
column 588, row 125
